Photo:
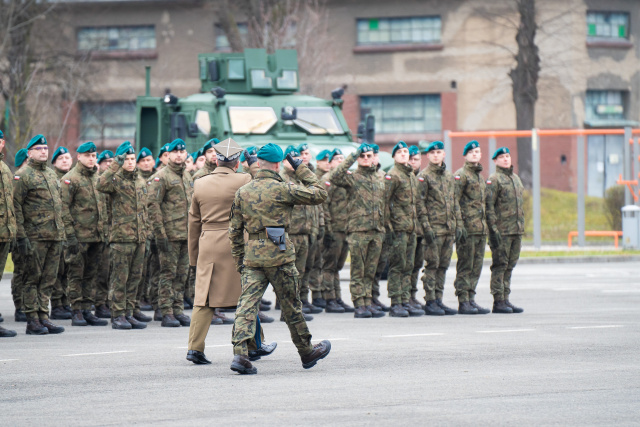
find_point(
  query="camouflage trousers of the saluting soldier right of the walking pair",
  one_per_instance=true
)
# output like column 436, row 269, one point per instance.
column 365, row 250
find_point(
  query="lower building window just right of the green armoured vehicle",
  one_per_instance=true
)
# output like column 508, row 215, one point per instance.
column 404, row 113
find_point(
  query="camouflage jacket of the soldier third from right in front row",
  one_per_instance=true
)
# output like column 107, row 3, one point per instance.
column 438, row 190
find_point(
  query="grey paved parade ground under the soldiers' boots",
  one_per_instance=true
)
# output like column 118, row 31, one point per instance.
column 571, row 359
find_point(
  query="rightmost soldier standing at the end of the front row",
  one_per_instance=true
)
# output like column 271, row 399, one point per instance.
column 505, row 218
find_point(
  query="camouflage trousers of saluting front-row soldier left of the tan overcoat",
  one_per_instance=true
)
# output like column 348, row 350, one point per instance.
column 126, row 272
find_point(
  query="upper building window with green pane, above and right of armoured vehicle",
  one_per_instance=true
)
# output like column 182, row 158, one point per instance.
column 385, row 31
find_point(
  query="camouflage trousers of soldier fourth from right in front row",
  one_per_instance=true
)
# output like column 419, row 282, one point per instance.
column 401, row 255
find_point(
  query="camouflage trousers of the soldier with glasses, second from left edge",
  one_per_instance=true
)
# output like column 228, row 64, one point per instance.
column 41, row 270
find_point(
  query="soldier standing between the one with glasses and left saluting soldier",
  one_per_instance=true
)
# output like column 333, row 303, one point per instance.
column 84, row 215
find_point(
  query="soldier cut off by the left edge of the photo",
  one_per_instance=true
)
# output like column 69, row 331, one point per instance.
column 7, row 222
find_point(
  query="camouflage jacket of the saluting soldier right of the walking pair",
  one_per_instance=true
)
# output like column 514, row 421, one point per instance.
column 365, row 205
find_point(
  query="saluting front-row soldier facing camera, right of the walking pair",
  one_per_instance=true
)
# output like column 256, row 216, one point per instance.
column 365, row 226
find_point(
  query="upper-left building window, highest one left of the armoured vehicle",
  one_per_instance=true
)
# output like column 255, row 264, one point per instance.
column 117, row 38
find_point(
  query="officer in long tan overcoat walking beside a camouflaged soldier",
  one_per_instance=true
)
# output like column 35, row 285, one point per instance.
column 218, row 284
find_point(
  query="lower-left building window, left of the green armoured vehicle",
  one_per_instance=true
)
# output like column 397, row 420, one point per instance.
column 107, row 120
